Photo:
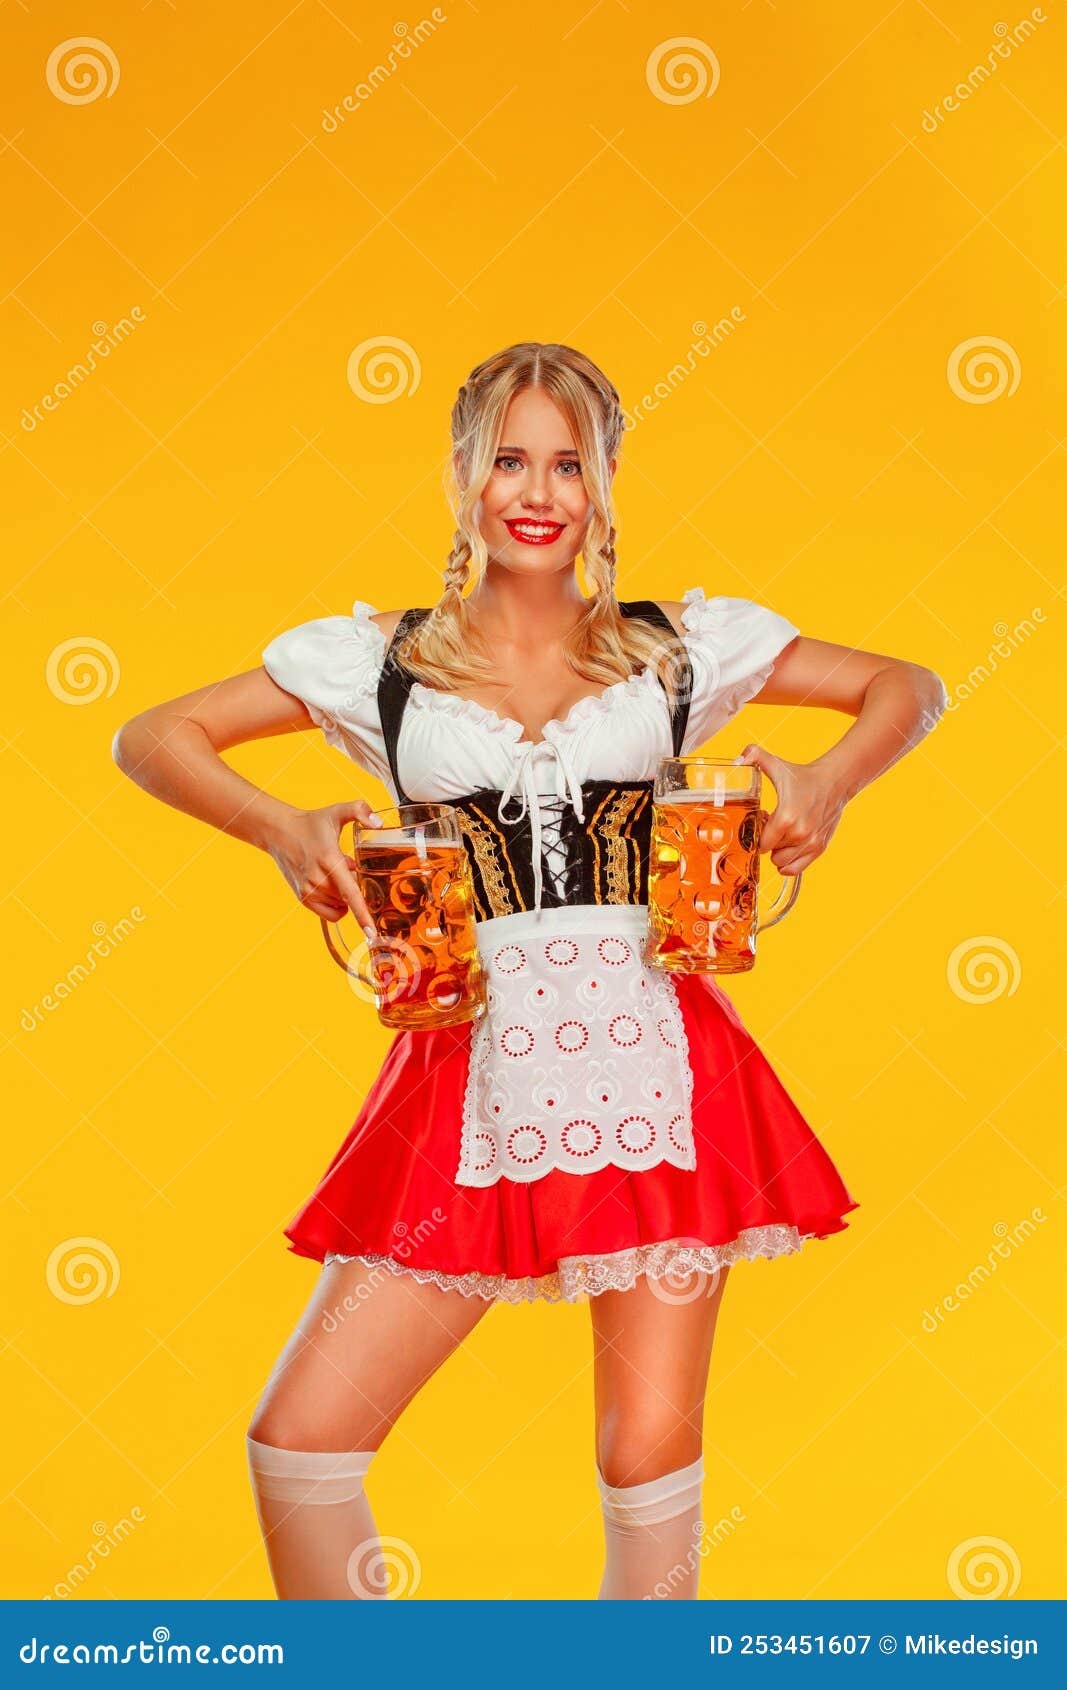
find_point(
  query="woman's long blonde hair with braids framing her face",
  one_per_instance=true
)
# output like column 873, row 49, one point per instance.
column 606, row 645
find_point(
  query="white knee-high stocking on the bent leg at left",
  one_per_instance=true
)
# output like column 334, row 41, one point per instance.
column 317, row 1522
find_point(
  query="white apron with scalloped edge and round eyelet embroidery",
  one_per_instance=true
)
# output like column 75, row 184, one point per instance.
column 581, row 1060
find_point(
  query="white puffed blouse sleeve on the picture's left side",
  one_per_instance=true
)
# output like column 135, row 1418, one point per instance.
column 334, row 667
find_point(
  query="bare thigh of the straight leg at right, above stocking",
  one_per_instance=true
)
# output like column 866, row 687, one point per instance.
column 652, row 1358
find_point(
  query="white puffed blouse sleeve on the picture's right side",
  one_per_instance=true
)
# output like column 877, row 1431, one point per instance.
column 733, row 645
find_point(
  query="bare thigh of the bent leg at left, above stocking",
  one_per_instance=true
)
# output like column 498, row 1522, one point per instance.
column 359, row 1353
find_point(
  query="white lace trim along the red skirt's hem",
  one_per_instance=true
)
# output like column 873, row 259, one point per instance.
column 616, row 1272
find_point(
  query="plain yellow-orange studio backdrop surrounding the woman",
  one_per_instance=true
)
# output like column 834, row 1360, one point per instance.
column 219, row 481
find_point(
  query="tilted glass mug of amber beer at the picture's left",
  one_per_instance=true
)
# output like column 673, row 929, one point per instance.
column 424, row 966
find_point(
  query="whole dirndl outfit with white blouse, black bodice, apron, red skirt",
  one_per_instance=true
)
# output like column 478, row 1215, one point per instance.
column 603, row 1120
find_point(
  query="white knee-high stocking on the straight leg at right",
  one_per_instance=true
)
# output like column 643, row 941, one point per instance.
column 652, row 1535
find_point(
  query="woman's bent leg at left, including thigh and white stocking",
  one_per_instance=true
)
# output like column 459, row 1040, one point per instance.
column 361, row 1351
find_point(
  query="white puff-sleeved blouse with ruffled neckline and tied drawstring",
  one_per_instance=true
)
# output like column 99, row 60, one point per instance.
column 452, row 746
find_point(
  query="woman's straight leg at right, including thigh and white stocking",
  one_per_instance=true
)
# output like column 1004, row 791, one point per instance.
column 652, row 1356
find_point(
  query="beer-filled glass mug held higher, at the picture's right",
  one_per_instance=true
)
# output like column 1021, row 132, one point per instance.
column 704, row 868
